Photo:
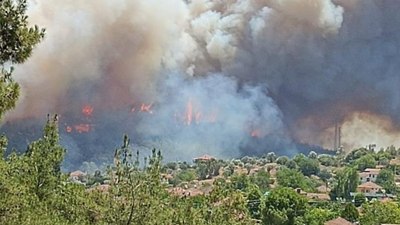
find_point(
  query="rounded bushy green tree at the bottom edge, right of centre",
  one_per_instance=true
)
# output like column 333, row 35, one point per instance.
column 282, row 206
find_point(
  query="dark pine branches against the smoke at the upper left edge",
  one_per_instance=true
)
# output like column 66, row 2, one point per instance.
column 17, row 41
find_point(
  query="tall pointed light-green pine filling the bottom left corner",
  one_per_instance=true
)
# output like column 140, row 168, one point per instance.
column 34, row 191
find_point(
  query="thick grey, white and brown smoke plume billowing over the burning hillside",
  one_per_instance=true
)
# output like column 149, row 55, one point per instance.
column 226, row 77
